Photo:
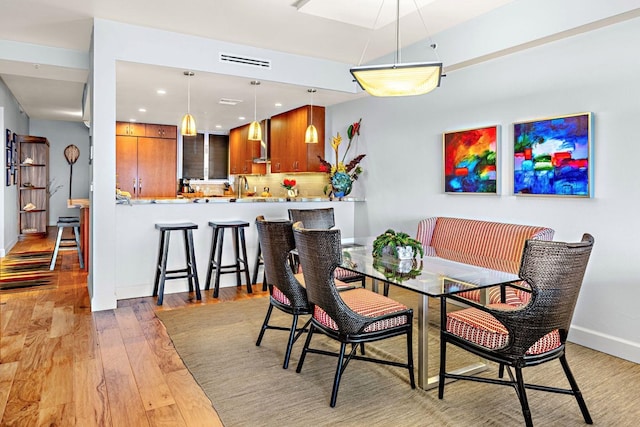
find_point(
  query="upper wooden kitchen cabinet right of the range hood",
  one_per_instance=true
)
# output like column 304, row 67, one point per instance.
column 289, row 152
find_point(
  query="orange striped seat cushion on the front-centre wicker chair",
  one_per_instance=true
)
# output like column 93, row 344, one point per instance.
column 368, row 304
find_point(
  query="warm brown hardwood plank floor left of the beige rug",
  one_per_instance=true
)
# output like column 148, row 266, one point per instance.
column 62, row 365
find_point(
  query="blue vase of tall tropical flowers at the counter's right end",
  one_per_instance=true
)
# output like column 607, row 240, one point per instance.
column 341, row 175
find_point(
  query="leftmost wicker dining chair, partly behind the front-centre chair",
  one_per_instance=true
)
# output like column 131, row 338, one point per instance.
column 286, row 292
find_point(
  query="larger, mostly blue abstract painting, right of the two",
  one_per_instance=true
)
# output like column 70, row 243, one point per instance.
column 552, row 156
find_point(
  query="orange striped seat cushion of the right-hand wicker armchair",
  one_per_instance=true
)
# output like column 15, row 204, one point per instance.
column 483, row 329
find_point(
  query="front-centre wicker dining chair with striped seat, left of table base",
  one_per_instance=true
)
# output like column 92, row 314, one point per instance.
column 354, row 316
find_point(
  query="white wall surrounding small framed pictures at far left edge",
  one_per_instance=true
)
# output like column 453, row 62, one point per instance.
column 13, row 118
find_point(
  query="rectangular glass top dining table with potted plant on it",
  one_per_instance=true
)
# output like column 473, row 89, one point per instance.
column 430, row 276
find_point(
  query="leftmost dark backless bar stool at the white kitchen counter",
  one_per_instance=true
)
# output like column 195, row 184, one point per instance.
column 190, row 271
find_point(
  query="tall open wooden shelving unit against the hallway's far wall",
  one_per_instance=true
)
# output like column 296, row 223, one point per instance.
column 33, row 181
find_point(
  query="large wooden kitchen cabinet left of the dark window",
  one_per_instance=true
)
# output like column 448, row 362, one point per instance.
column 146, row 166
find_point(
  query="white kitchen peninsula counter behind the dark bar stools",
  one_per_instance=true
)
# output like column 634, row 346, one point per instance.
column 137, row 239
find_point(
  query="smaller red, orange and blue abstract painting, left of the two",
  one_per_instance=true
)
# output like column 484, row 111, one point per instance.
column 470, row 161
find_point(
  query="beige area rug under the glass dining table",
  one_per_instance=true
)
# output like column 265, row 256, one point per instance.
column 248, row 386
